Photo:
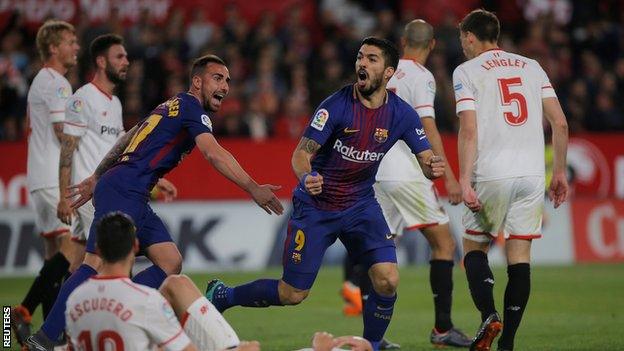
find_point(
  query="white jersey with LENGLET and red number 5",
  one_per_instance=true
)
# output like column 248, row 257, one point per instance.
column 506, row 91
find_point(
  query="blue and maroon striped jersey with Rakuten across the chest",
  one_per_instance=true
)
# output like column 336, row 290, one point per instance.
column 353, row 141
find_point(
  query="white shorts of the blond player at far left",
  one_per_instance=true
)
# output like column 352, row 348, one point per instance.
column 45, row 202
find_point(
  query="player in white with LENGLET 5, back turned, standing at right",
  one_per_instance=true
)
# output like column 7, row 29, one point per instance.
column 501, row 100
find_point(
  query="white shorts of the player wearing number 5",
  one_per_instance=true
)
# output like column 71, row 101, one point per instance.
column 513, row 205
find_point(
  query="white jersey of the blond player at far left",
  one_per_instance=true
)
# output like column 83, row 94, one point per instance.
column 46, row 105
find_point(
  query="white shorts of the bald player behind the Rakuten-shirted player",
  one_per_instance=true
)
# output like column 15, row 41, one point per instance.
column 409, row 205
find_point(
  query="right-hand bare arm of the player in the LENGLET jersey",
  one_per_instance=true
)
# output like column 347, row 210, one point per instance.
column 558, row 189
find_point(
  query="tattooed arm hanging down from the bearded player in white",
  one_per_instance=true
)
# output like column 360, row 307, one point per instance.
column 68, row 146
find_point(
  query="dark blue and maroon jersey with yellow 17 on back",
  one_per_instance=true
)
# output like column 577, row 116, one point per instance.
column 160, row 143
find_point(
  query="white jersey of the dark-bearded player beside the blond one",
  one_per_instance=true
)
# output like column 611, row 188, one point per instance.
column 95, row 117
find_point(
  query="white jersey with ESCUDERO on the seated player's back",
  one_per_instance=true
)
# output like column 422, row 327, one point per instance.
column 116, row 312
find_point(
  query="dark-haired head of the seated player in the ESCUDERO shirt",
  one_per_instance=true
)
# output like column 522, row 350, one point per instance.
column 115, row 236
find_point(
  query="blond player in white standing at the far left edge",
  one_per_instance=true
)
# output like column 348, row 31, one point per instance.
column 58, row 49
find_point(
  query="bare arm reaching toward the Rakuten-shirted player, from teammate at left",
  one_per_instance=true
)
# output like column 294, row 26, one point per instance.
column 223, row 161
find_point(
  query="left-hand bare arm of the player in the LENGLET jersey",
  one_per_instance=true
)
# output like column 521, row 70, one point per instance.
column 467, row 150
